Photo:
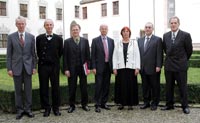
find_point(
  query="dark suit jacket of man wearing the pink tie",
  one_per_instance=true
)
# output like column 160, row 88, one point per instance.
column 98, row 55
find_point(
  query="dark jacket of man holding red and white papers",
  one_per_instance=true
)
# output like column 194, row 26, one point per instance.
column 68, row 54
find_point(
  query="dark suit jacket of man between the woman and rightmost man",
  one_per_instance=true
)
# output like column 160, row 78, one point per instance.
column 153, row 56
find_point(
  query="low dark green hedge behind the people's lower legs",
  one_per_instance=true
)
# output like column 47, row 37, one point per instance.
column 8, row 102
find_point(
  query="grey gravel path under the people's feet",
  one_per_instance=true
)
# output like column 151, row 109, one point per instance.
column 113, row 116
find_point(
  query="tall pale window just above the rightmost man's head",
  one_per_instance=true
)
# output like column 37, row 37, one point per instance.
column 170, row 9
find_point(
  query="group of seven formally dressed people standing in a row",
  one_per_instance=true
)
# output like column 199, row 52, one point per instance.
column 125, row 59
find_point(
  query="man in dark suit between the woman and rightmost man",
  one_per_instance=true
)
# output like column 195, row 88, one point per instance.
column 151, row 54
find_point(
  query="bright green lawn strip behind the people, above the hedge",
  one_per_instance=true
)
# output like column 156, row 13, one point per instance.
column 6, row 82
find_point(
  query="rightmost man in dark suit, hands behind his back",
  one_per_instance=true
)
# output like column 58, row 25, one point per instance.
column 177, row 46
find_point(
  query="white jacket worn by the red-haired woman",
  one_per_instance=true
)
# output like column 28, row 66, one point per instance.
column 133, row 56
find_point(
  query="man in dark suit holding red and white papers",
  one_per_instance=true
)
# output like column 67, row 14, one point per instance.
column 76, row 60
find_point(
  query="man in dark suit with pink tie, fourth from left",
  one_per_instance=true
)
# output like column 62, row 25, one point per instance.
column 101, row 56
